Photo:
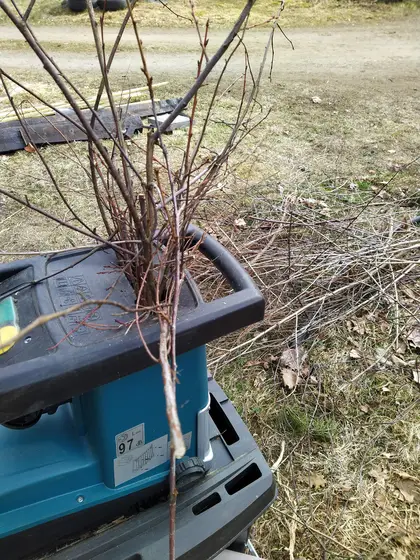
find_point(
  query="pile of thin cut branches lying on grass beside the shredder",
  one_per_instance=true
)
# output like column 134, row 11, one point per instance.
column 317, row 265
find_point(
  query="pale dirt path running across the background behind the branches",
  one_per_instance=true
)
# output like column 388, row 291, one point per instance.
column 381, row 54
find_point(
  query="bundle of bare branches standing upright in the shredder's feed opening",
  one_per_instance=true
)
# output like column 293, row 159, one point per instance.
column 145, row 207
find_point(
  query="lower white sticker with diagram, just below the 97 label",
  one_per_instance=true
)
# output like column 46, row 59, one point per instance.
column 141, row 460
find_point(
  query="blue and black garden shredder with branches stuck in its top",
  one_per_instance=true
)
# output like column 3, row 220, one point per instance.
column 84, row 437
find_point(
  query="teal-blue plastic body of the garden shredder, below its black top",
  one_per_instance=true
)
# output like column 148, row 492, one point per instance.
column 66, row 461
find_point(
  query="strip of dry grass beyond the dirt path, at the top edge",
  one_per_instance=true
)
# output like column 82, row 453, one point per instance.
column 222, row 14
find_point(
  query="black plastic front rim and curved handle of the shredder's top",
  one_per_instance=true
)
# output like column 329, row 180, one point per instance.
column 37, row 383
